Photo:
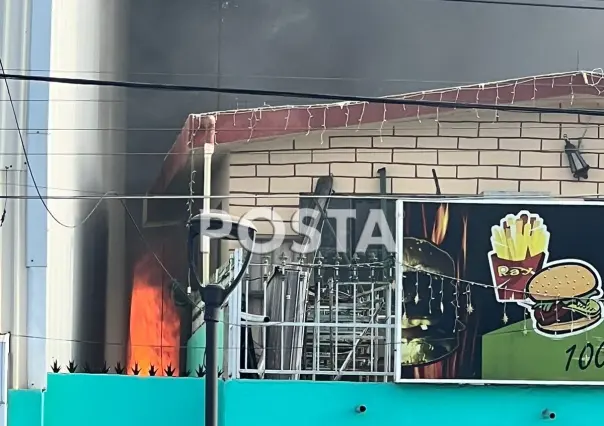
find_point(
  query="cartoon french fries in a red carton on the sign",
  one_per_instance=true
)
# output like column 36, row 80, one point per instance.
column 520, row 247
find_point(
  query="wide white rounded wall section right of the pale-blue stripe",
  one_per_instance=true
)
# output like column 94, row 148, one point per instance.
column 85, row 131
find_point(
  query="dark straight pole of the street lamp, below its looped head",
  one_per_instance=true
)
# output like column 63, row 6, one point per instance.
column 213, row 297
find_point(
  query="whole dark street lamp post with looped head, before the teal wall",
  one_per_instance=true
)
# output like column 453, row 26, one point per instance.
column 214, row 296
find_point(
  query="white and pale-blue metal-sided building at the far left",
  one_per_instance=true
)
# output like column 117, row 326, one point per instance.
column 69, row 133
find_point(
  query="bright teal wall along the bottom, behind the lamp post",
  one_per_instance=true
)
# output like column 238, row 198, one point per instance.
column 111, row 400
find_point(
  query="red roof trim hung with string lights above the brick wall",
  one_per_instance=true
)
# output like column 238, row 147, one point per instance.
column 252, row 124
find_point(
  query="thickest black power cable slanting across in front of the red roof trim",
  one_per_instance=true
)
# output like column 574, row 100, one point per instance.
column 301, row 95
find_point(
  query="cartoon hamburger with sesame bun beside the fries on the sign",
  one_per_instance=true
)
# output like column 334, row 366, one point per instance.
column 564, row 298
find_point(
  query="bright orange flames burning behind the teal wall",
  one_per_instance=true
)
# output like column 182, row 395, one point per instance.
column 154, row 322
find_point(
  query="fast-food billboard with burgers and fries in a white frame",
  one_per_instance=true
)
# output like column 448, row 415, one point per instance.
column 499, row 290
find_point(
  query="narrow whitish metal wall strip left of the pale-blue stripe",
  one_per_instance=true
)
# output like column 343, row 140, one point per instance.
column 14, row 51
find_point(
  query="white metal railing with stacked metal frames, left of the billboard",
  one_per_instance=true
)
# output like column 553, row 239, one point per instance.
column 329, row 319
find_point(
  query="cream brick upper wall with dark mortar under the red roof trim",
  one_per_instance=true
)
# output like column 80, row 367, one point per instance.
column 518, row 152
